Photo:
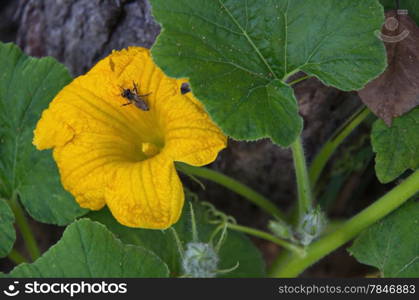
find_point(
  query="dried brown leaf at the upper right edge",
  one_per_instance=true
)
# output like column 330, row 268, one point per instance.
column 396, row 91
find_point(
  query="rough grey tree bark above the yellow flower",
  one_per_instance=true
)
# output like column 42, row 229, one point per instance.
column 80, row 32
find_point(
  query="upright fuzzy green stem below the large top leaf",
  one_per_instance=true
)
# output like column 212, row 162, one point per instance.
column 303, row 183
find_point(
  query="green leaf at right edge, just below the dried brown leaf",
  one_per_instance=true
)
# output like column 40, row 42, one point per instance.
column 397, row 147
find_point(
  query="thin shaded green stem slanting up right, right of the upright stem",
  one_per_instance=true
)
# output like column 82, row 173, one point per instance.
column 333, row 143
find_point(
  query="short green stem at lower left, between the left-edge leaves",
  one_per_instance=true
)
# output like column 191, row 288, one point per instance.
column 25, row 230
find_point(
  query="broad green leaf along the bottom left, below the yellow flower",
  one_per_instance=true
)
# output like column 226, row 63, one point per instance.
column 88, row 249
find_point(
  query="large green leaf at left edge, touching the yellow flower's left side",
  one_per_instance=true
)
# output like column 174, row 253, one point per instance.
column 27, row 85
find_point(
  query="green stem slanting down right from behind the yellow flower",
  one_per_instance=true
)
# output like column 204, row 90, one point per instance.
column 233, row 185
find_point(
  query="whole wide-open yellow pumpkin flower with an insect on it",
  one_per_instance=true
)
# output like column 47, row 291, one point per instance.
column 121, row 155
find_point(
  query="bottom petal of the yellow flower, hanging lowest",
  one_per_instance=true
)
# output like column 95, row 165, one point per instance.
column 147, row 194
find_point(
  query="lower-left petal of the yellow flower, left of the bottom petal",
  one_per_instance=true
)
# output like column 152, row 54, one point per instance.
column 84, row 162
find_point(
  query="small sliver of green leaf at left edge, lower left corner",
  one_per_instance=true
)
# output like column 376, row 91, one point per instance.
column 7, row 230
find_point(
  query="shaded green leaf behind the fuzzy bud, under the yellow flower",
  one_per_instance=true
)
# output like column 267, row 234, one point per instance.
column 237, row 247
